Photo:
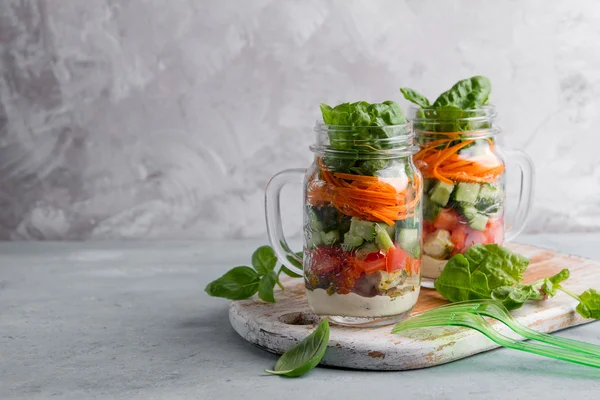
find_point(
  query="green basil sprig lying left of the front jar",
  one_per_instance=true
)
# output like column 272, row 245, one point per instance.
column 244, row 282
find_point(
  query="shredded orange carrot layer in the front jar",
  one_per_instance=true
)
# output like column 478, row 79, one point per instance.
column 367, row 197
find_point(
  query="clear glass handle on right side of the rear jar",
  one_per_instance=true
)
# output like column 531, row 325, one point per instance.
column 525, row 164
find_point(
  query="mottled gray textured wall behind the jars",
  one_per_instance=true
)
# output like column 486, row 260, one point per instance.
column 128, row 119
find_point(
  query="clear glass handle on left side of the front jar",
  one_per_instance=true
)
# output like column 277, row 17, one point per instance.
column 273, row 216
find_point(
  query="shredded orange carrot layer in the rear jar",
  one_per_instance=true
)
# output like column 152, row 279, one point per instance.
column 439, row 159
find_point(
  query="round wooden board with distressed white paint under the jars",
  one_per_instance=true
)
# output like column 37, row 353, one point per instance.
column 378, row 349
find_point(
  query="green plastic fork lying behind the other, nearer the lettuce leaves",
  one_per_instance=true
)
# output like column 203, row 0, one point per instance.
column 495, row 309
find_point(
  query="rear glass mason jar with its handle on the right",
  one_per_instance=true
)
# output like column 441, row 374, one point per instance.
column 464, row 183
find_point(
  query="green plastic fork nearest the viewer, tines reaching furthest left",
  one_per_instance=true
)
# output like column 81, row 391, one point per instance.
column 477, row 322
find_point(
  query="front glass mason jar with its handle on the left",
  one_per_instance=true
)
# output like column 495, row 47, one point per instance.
column 362, row 224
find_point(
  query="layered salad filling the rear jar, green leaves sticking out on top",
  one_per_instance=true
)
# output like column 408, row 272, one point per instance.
column 463, row 200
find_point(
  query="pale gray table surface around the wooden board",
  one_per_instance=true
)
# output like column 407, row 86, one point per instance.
column 131, row 321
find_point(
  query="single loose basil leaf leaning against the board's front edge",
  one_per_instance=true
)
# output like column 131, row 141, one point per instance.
column 305, row 355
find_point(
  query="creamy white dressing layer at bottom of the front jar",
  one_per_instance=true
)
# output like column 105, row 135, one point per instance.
column 353, row 305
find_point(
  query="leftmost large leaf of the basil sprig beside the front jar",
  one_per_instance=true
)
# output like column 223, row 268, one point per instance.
column 238, row 284
